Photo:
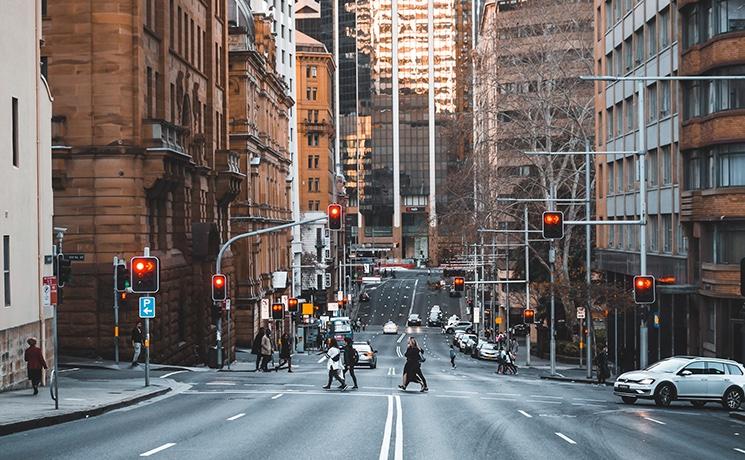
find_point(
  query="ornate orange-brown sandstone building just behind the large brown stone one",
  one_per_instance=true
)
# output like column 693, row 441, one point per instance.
column 259, row 114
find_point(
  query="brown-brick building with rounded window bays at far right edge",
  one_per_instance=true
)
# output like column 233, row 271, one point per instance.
column 712, row 149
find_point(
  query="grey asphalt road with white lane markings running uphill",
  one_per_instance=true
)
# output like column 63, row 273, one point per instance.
column 470, row 412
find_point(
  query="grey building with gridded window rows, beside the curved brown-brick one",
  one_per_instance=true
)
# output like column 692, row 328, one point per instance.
column 641, row 39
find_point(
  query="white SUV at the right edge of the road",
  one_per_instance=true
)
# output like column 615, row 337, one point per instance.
column 685, row 378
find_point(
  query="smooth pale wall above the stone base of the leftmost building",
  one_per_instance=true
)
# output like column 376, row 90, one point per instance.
column 26, row 190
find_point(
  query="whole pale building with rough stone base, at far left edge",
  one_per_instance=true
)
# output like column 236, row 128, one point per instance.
column 26, row 176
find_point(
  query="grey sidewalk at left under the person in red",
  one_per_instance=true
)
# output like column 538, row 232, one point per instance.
column 79, row 399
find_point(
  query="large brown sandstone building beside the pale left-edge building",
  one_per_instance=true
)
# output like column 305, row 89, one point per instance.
column 140, row 159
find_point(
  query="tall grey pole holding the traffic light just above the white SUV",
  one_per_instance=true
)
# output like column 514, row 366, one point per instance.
column 643, row 331
